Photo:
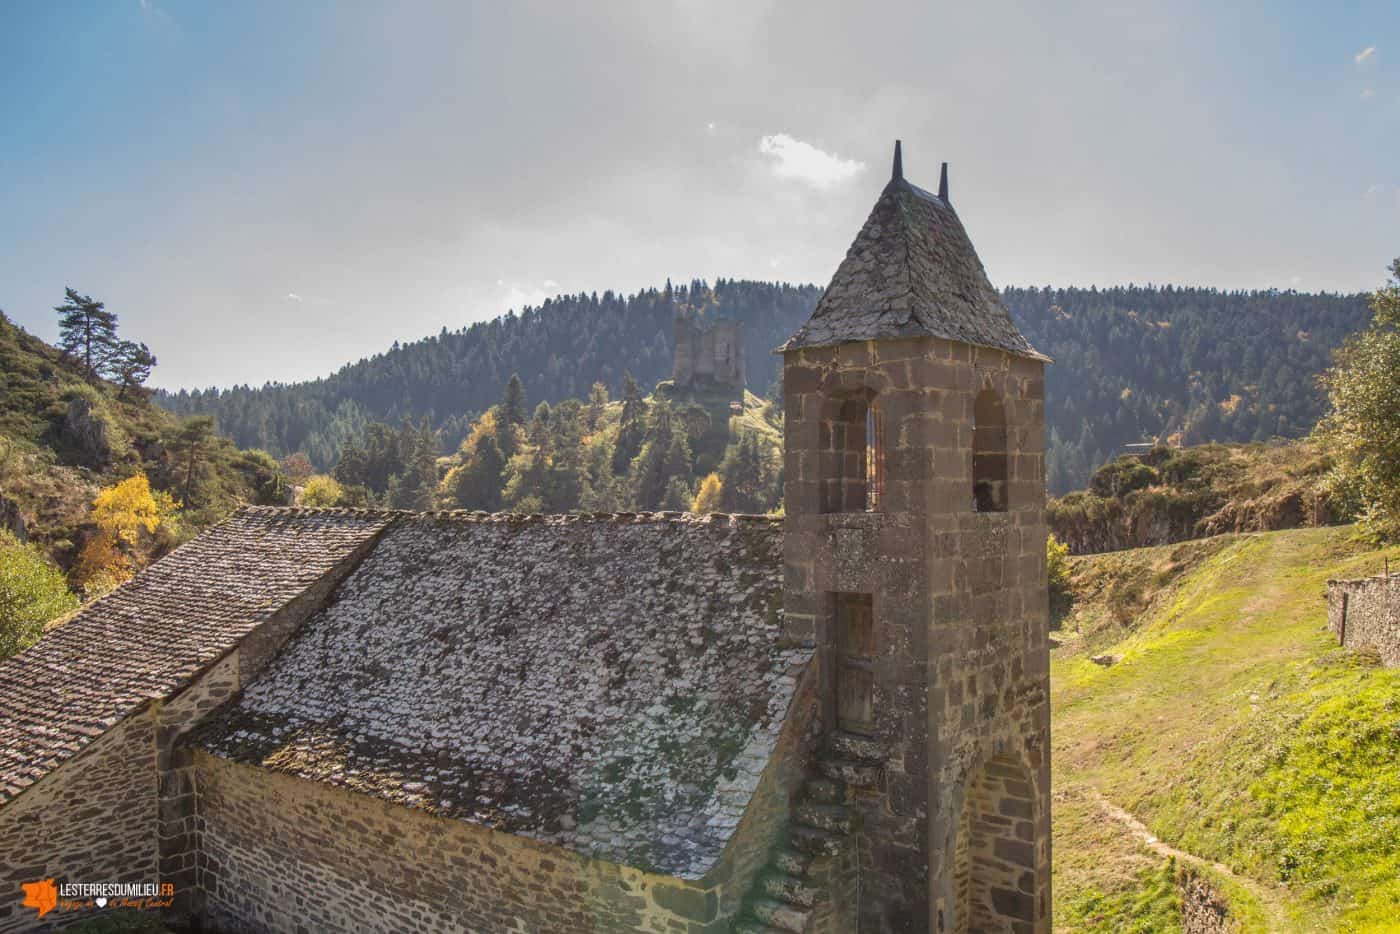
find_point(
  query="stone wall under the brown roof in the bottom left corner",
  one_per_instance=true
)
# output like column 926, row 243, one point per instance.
column 90, row 821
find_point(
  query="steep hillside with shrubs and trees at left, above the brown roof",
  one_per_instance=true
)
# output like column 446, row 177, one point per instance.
column 94, row 480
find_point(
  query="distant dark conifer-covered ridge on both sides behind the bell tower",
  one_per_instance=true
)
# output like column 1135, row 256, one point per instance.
column 1132, row 363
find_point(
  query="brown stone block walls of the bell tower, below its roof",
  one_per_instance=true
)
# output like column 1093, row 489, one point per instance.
column 960, row 597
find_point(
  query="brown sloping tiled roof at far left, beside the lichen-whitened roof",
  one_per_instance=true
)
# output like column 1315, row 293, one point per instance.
column 149, row 638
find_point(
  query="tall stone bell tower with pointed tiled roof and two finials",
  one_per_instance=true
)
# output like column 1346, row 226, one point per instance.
column 916, row 562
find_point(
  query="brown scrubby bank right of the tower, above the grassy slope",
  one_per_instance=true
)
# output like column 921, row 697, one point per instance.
column 1174, row 495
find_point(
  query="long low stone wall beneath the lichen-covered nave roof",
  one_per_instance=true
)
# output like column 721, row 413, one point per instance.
column 283, row 855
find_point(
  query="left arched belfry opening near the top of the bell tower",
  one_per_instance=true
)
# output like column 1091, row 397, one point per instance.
column 852, row 453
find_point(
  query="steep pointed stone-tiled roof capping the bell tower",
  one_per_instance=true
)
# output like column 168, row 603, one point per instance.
column 912, row 272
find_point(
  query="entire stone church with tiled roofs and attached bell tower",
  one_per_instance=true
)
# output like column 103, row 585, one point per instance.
column 838, row 720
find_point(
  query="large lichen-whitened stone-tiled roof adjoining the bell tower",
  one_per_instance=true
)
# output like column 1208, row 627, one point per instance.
column 610, row 684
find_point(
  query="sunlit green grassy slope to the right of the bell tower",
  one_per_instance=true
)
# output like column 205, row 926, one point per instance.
column 1238, row 732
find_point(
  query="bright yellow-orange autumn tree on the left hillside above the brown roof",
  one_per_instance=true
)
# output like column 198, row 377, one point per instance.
column 127, row 516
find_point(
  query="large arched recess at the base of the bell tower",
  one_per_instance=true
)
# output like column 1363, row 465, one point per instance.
column 995, row 858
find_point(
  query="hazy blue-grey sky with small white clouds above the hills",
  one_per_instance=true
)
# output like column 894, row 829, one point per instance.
column 268, row 191
